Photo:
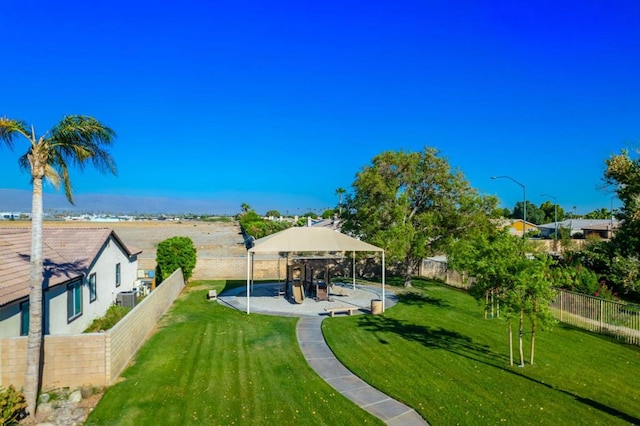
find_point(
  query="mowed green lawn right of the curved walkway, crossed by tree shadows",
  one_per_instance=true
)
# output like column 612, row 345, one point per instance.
column 435, row 352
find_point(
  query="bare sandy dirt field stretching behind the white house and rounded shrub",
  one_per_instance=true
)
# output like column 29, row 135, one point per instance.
column 211, row 239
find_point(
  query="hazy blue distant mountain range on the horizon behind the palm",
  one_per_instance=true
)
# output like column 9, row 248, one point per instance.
column 16, row 200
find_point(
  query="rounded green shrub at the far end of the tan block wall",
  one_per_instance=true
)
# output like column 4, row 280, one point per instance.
column 174, row 253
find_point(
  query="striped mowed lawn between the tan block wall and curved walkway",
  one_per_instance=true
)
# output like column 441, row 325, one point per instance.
column 209, row 364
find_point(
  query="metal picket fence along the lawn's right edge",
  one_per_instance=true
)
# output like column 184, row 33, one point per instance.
column 620, row 320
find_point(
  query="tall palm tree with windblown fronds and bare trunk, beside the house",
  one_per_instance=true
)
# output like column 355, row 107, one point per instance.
column 75, row 140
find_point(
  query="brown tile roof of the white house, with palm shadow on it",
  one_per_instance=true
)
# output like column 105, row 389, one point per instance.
column 67, row 254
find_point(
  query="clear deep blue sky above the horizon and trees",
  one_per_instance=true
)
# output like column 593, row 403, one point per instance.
column 277, row 104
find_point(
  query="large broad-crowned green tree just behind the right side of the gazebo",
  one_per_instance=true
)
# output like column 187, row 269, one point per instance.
column 413, row 205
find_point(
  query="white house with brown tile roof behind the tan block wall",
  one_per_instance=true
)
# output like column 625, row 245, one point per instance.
column 84, row 270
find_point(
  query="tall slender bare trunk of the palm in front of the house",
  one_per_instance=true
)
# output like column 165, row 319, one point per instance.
column 34, row 341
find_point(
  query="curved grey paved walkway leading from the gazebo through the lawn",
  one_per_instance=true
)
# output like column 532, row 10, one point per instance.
column 323, row 361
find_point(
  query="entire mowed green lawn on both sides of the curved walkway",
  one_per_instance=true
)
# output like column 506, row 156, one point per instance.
column 209, row 364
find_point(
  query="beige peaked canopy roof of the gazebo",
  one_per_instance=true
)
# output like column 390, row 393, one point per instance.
column 310, row 239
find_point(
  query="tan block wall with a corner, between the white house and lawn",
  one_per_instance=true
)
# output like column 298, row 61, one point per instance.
column 94, row 358
